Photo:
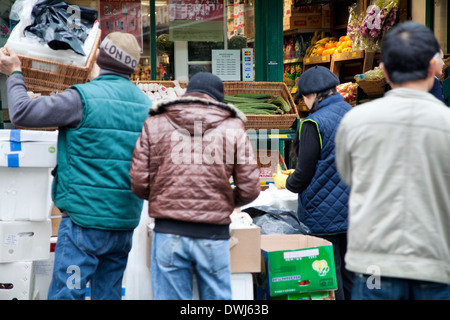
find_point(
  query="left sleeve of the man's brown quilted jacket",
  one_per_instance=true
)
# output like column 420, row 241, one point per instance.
column 139, row 170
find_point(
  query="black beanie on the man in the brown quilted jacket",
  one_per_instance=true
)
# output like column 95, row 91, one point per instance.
column 208, row 83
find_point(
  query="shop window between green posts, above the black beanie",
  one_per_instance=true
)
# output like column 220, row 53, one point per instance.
column 183, row 26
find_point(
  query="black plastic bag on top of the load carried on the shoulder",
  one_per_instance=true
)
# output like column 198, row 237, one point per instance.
column 52, row 23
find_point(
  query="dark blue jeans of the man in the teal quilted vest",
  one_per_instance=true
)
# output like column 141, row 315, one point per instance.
column 89, row 255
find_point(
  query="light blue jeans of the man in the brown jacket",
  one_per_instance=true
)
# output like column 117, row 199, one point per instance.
column 175, row 258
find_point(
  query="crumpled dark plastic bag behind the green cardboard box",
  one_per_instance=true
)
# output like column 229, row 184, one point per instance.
column 276, row 221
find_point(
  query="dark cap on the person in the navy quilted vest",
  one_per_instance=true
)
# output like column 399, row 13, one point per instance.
column 316, row 79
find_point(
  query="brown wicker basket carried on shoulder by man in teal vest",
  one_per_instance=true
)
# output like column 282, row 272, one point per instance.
column 49, row 76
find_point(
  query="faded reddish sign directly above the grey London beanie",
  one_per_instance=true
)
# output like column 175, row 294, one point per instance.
column 121, row 16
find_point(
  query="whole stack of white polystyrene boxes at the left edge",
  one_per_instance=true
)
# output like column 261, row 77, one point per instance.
column 26, row 160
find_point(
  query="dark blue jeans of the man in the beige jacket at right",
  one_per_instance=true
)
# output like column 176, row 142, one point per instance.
column 398, row 289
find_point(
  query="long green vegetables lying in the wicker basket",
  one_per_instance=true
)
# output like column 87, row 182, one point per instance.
column 261, row 104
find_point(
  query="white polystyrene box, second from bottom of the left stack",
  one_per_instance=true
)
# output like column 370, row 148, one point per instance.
column 25, row 240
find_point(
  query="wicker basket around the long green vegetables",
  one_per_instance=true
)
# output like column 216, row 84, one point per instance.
column 269, row 122
